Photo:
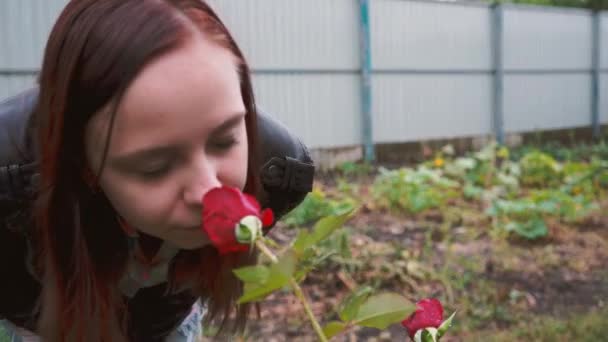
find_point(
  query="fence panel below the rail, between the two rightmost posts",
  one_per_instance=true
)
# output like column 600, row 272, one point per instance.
column 546, row 101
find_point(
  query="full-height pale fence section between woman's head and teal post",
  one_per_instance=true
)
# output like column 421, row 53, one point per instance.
column 315, row 35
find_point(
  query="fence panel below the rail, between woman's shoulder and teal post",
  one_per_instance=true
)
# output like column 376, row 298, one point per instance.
column 322, row 109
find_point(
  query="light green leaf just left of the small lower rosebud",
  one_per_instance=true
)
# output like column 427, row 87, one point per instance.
column 380, row 311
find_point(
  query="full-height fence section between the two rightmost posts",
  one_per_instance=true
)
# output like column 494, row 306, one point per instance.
column 553, row 40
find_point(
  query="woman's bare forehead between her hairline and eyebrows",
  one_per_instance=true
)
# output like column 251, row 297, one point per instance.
column 200, row 74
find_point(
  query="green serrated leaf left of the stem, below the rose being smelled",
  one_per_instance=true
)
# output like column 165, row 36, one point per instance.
column 278, row 276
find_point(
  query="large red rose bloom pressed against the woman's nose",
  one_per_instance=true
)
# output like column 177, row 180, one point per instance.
column 223, row 209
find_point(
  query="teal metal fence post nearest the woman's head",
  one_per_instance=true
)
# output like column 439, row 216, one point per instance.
column 366, row 82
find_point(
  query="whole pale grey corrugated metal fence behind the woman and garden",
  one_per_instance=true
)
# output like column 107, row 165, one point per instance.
column 353, row 72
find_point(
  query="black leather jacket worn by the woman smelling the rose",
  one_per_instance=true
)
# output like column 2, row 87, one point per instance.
column 286, row 175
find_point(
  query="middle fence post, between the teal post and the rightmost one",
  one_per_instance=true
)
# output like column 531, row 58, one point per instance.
column 497, row 49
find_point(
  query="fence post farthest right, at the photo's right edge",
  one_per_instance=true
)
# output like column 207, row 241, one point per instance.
column 595, row 74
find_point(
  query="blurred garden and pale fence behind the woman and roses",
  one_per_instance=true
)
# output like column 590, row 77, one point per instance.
column 472, row 135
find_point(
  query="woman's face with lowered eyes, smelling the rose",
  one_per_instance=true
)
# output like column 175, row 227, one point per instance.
column 179, row 131
